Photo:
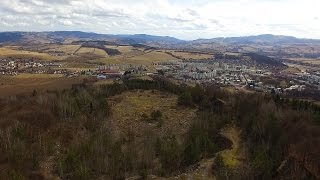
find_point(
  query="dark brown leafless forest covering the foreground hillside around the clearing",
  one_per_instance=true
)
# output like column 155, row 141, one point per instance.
column 282, row 135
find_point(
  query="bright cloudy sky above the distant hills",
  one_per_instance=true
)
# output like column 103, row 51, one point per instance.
column 183, row 19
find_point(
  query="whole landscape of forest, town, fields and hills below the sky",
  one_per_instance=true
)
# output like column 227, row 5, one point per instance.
column 161, row 108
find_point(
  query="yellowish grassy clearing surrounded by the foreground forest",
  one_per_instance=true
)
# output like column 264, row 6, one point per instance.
column 128, row 108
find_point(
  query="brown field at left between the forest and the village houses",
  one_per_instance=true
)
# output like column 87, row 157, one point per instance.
column 26, row 83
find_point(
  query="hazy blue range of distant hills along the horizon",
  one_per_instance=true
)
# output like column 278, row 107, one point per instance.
column 150, row 40
